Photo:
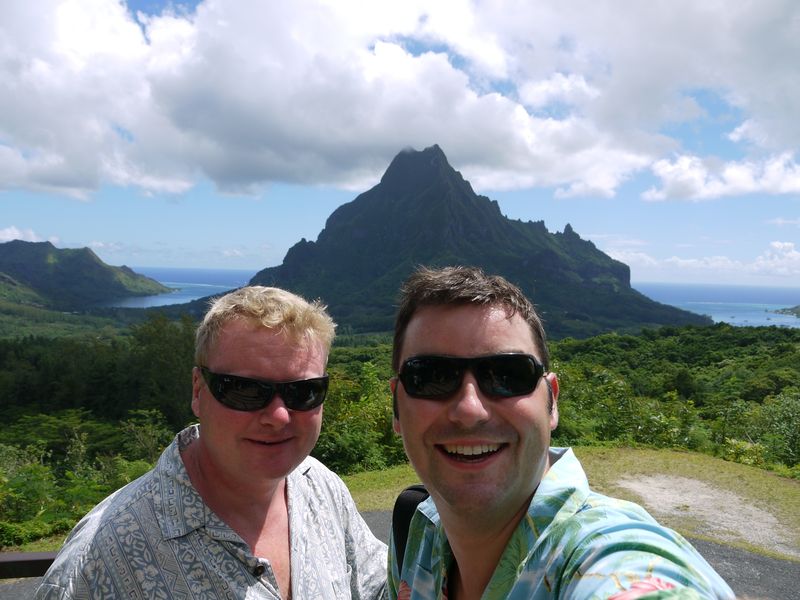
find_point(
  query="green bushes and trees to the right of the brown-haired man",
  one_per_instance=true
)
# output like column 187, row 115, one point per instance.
column 734, row 392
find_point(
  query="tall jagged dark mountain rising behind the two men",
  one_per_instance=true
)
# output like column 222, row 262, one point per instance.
column 423, row 212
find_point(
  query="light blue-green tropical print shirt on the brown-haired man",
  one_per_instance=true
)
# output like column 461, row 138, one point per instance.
column 572, row 543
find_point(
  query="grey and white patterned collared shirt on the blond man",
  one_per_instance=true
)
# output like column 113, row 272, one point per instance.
column 156, row 538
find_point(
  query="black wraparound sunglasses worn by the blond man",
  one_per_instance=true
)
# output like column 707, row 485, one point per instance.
column 243, row 393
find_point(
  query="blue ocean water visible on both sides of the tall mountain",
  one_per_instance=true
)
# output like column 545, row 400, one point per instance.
column 740, row 305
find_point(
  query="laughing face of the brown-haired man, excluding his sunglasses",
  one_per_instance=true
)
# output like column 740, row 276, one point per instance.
column 475, row 454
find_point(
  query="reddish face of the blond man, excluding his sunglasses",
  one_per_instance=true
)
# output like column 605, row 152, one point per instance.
column 244, row 448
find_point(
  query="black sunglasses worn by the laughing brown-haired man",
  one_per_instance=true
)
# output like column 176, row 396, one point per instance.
column 436, row 377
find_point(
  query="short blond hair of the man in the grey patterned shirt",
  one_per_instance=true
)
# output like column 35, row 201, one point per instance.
column 271, row 308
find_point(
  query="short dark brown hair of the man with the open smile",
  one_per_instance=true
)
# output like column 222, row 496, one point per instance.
column 459, row 286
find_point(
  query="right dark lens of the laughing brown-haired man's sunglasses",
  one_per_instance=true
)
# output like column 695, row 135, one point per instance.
column 507, row 375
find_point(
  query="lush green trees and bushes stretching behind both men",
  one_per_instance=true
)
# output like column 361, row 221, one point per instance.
column 84, row 415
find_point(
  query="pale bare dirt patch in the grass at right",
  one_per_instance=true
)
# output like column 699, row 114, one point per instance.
column 696, row 504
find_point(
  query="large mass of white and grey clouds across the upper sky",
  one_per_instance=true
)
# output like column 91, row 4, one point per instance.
column 249, row 92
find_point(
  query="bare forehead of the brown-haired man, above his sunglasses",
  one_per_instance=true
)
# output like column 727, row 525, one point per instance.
column 466, row 330
